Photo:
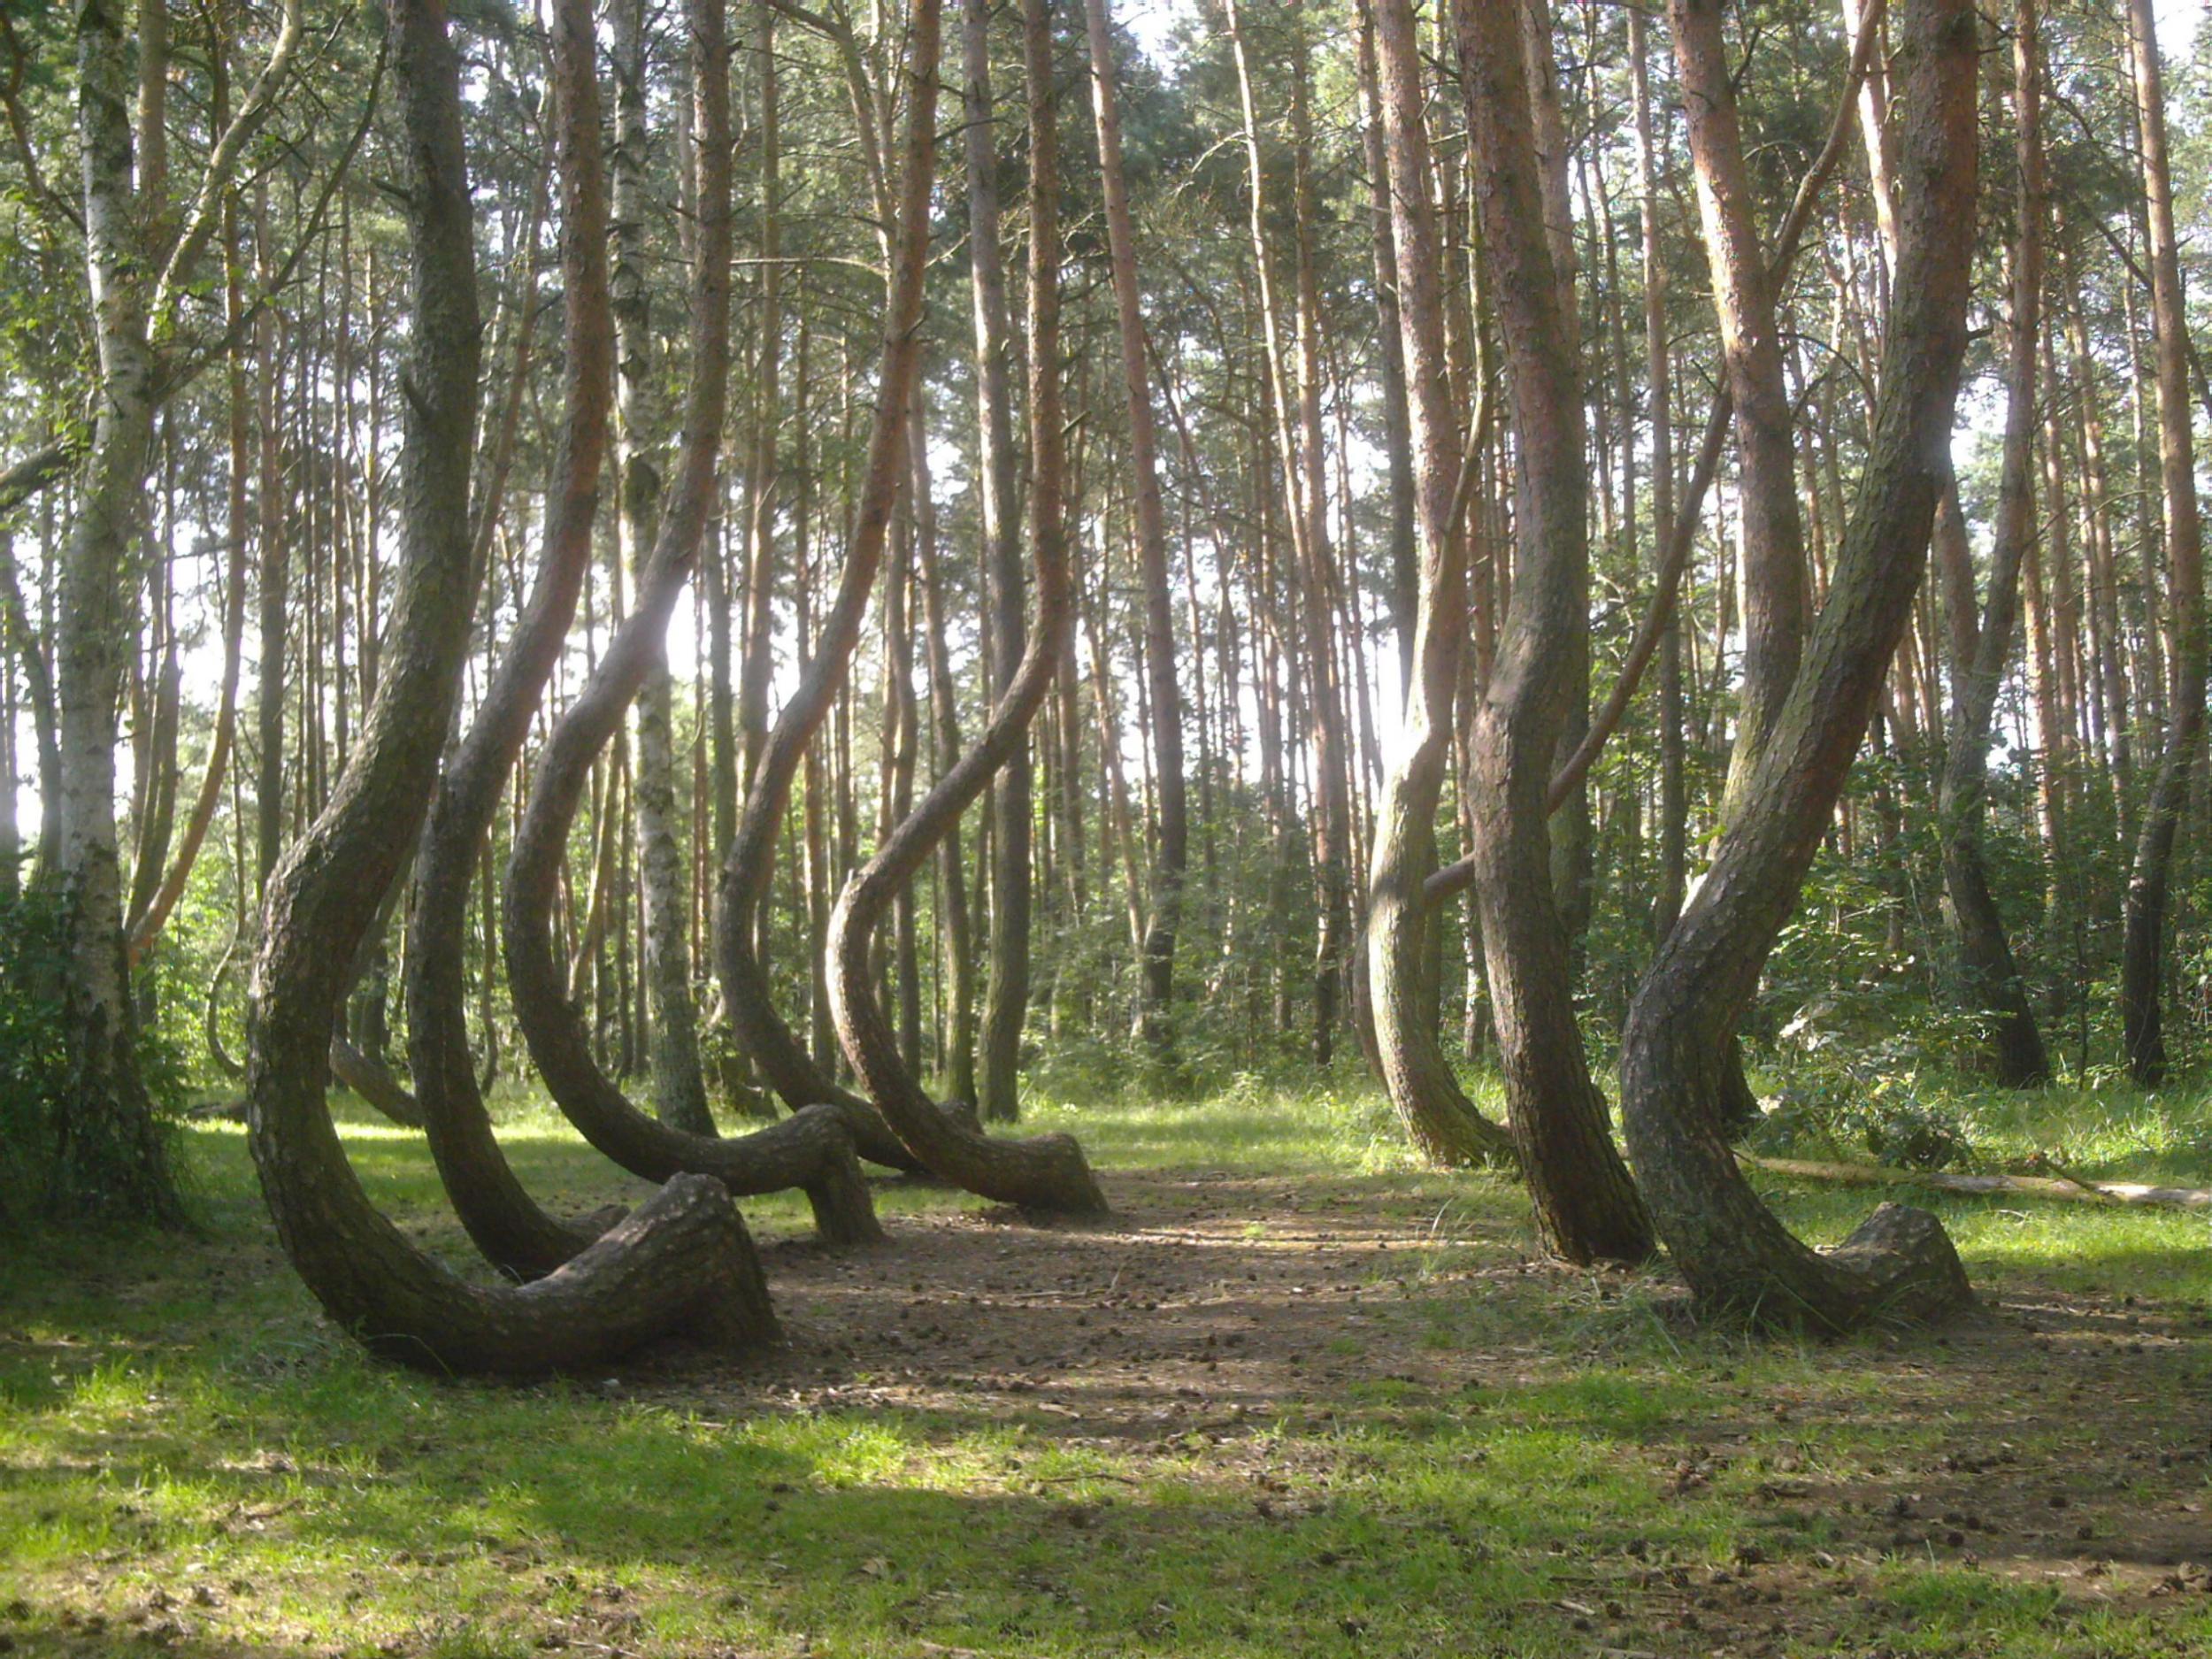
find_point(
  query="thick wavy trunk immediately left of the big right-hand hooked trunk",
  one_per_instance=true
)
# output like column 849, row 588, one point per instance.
column 1585, row 1200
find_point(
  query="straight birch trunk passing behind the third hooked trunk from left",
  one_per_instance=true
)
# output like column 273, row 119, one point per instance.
column 678, row 1081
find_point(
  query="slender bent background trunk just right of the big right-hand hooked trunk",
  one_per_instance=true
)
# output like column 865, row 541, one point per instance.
column 2016, row 1047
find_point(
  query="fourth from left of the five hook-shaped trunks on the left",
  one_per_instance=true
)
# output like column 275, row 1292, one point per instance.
column 753, row 851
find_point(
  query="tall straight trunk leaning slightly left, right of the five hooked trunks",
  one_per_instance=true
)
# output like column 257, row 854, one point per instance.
column 1171, row 844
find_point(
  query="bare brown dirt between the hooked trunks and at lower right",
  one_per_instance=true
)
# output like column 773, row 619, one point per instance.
column 1220, row 1304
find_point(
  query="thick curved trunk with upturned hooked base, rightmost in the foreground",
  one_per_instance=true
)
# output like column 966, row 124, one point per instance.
column 1731, row 1249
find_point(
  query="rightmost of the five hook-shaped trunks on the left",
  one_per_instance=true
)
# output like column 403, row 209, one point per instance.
column 1045, row 1173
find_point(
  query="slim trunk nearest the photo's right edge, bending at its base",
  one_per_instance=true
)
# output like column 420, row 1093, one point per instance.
column 2142, row 966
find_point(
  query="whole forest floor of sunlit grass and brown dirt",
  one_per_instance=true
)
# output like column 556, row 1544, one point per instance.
column 1295, row 1399
